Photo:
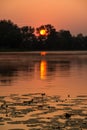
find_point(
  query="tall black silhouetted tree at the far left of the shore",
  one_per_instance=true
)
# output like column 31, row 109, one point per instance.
column 10, row 36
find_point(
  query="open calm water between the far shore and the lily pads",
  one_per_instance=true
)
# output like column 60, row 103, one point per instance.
column 59, row 73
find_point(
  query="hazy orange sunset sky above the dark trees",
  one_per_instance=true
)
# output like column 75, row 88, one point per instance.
column 62, row 14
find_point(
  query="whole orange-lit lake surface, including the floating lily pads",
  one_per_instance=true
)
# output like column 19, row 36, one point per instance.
column 43, row 91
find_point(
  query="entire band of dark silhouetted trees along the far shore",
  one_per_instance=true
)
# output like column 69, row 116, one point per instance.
column 27, row 38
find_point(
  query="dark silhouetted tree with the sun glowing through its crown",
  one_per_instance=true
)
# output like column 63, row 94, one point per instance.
column 47, row 41
